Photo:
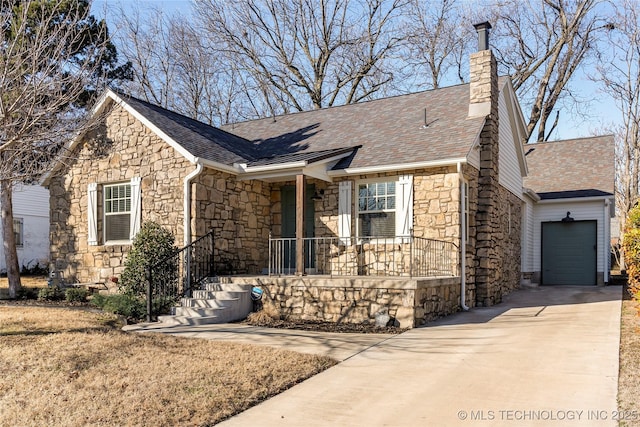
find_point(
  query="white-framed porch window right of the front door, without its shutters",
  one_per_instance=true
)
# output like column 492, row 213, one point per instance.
column 377, row 209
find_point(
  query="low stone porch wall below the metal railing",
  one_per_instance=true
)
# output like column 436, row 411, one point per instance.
column 410, row 302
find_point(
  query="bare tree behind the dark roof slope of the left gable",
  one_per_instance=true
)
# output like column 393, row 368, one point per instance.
column 174, row 67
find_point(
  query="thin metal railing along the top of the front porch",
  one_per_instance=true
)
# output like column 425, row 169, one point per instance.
column 366, row 256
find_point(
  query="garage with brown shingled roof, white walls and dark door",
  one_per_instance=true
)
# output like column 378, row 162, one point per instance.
column 567, row 211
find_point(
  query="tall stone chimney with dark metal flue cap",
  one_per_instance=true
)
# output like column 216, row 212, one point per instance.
column 483, row 102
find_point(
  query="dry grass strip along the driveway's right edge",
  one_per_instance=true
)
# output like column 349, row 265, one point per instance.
column 628, row 383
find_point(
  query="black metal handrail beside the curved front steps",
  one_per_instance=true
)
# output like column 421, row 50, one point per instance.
column 190, row 264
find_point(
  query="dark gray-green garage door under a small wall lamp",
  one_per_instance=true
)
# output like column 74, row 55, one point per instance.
column 569, row 253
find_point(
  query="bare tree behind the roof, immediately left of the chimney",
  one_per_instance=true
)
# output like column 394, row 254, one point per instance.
column 437, row 41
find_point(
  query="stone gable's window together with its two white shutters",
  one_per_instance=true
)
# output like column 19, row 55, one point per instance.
column 118, row 216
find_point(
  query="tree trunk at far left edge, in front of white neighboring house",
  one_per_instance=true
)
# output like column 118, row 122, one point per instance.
column 9, row 238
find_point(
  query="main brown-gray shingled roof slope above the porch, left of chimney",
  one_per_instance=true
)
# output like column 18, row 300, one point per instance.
column 390, row 130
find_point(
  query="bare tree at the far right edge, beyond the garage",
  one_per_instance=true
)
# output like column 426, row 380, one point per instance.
column 620, row 75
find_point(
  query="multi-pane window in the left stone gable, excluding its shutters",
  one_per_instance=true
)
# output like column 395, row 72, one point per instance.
column 117, row 212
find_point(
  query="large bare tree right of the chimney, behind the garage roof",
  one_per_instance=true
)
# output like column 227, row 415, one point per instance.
column 542, row 43
